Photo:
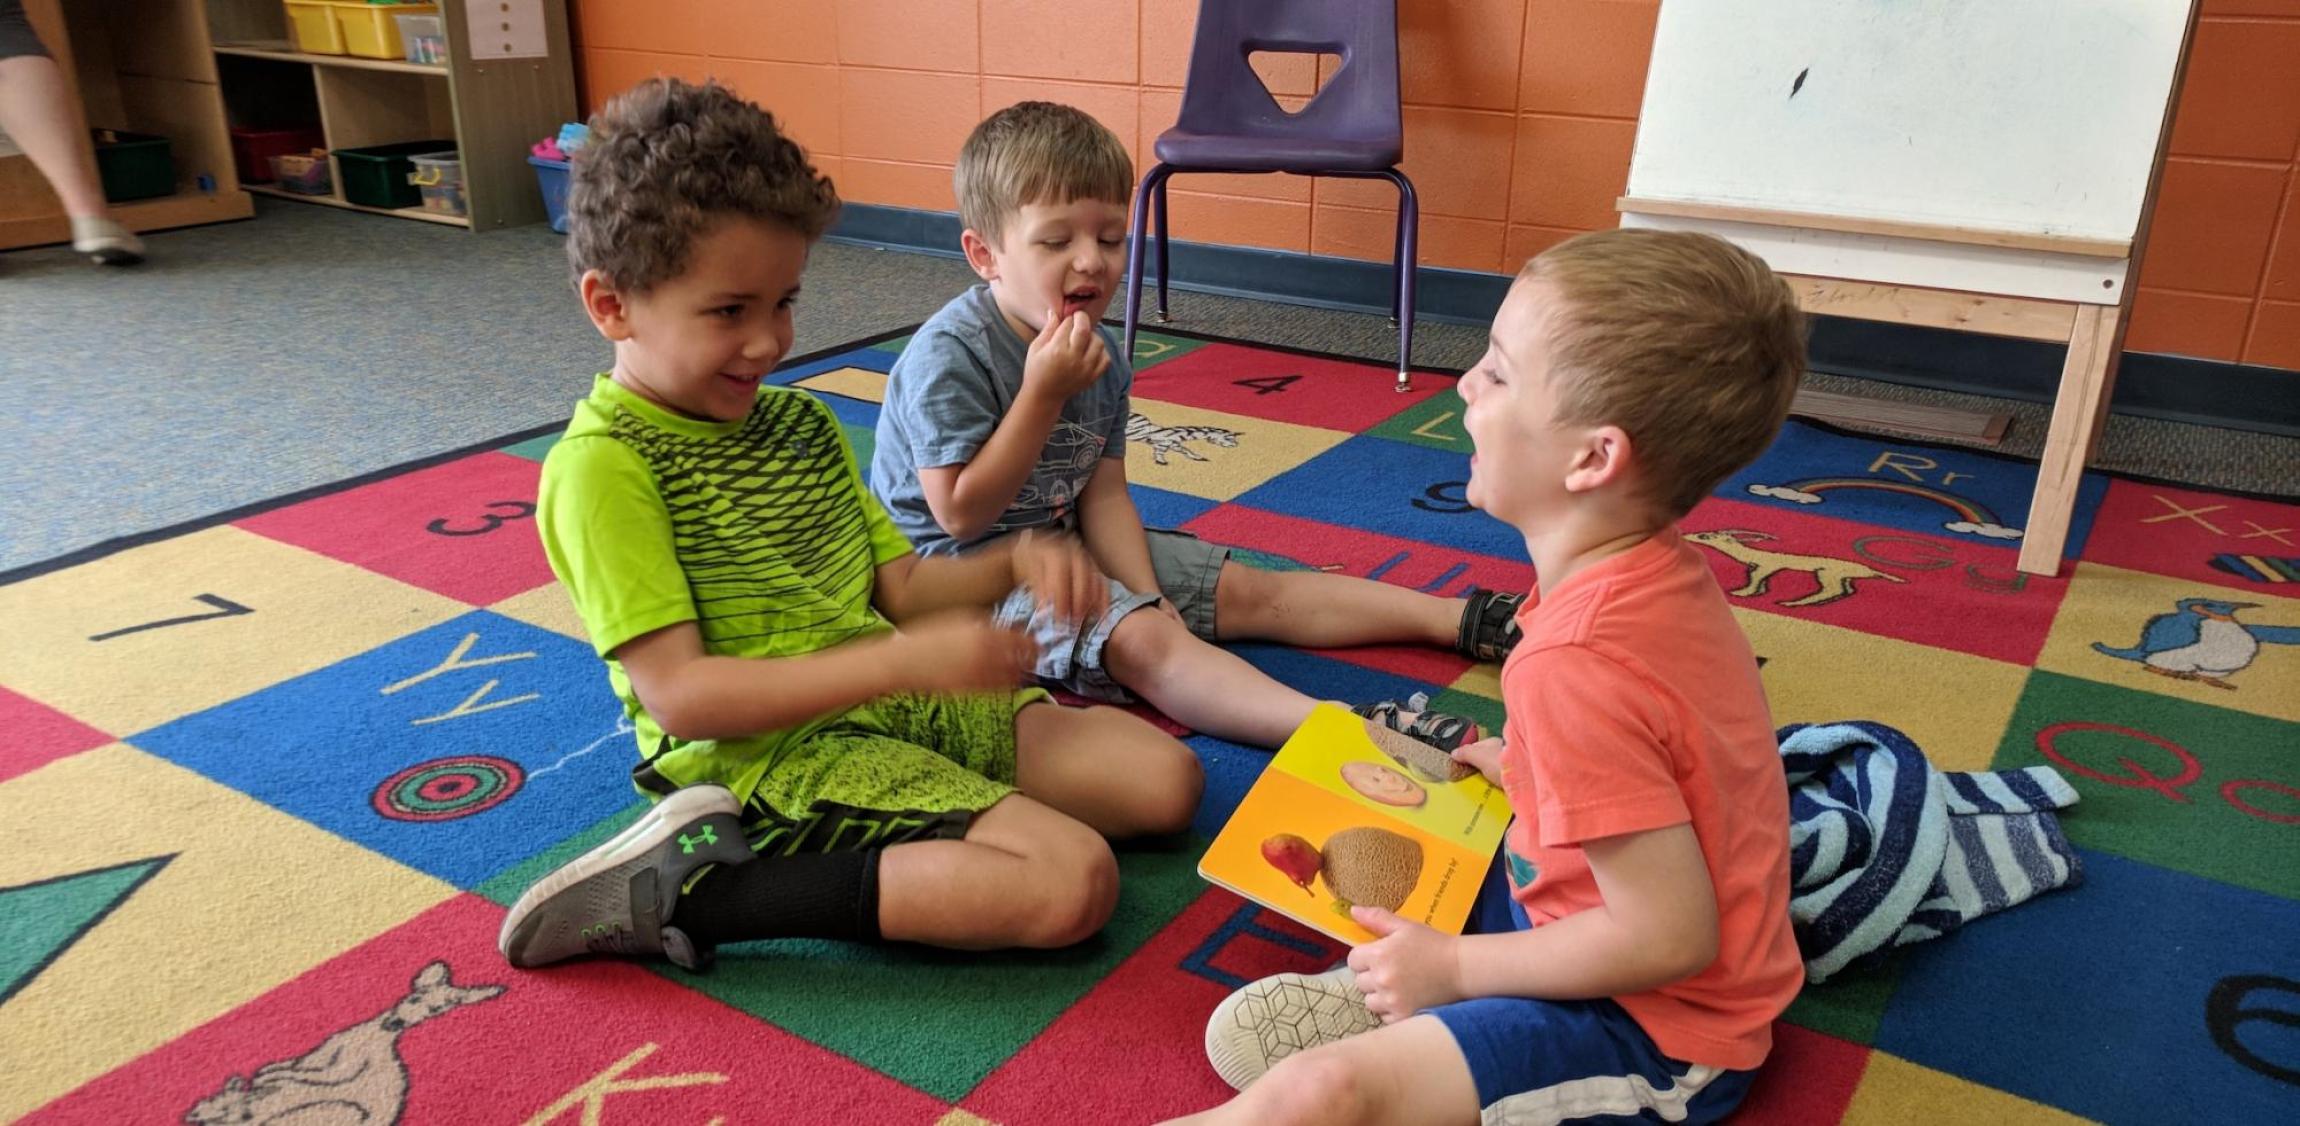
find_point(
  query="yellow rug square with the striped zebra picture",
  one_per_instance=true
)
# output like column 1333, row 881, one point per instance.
column 1213, row 454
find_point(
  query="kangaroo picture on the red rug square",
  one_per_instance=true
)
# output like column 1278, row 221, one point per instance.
column 351, row 1079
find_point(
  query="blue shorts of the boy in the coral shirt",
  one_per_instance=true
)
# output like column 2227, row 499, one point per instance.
column 1540, row 1063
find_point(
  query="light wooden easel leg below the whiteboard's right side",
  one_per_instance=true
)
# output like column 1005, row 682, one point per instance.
column 2078, row 415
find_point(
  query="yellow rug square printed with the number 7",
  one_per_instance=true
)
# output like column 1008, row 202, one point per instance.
column 181, row 626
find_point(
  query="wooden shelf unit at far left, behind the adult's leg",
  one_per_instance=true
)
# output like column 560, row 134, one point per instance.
column 144, row 68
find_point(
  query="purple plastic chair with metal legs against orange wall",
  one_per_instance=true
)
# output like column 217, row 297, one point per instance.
column 1232, row 125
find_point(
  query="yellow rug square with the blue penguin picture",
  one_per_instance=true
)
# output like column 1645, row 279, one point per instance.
column 2179, row 638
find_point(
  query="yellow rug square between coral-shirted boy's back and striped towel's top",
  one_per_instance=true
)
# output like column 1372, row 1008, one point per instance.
column 1956, row 707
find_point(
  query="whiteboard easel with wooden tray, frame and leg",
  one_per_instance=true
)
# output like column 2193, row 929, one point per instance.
column 1968, row 164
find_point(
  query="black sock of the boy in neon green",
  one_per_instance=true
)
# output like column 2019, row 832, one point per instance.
column 818, row 895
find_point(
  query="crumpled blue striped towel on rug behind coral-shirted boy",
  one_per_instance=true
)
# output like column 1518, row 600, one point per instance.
column 1889, row 851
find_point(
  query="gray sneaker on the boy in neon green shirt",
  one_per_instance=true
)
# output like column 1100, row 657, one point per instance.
column 620, row 897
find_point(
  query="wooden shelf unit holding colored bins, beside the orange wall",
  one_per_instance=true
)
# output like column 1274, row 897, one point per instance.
column 493, row 109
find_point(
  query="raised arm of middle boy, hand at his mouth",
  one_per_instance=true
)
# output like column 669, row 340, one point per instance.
column 969, row 498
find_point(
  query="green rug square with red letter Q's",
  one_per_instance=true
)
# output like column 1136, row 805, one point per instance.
column 2165, row 782
